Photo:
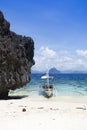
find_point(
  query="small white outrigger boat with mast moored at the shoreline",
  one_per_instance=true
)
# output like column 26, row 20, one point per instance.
column 47, row 88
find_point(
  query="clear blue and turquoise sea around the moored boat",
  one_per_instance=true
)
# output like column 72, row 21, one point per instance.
column 65, row 85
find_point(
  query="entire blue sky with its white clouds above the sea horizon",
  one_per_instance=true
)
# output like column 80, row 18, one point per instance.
column 58, row 28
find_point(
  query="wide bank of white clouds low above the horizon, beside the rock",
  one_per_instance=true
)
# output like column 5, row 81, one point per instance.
column 62, row 60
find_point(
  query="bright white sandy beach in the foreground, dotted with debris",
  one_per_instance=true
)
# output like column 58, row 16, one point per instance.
column 57, row 113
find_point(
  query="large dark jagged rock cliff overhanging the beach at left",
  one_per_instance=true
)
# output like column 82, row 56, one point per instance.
column 16, row 58
